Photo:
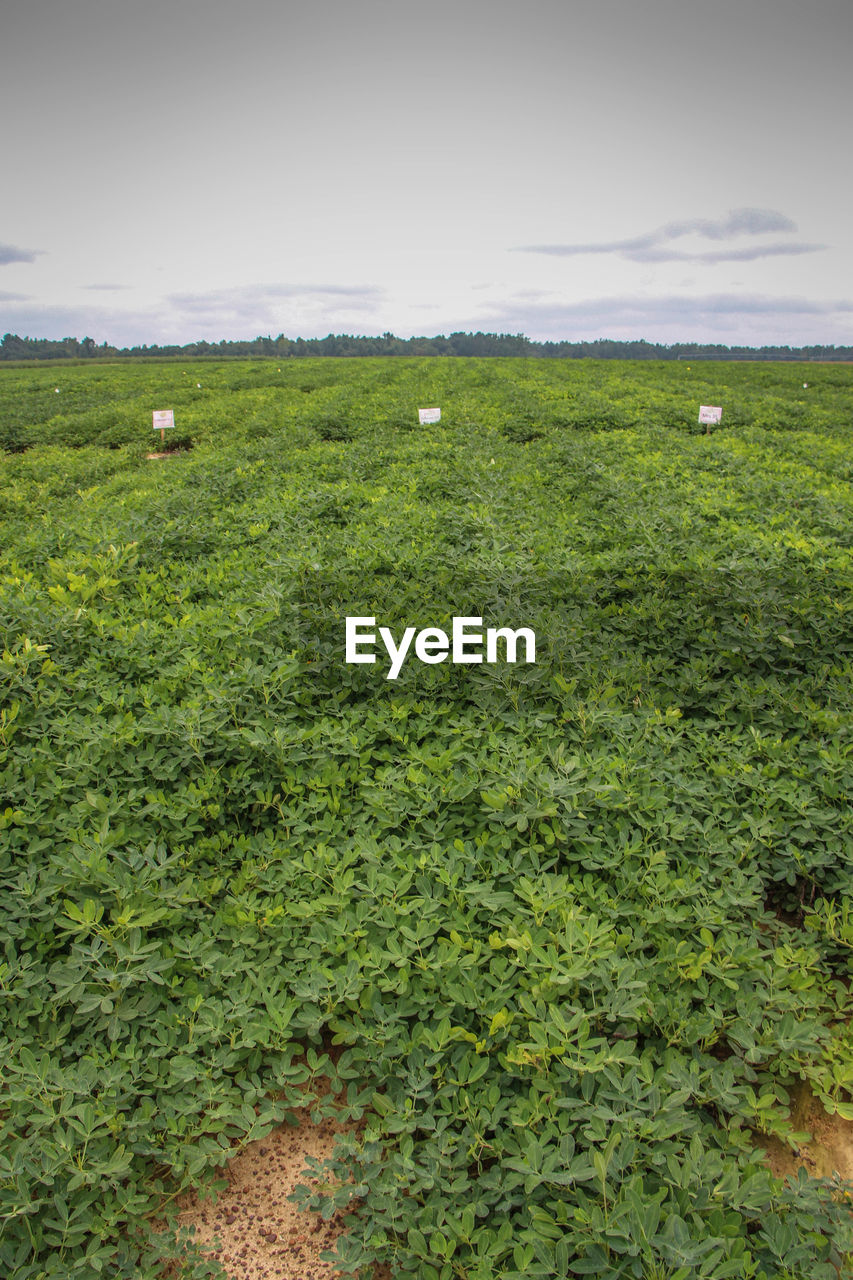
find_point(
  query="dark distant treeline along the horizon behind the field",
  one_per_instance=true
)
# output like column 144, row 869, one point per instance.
column 458, row 345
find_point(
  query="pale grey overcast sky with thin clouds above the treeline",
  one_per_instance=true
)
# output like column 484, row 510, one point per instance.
column 176, row 171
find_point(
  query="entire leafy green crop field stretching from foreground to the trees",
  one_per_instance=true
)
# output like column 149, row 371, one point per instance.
column 564, row 936
